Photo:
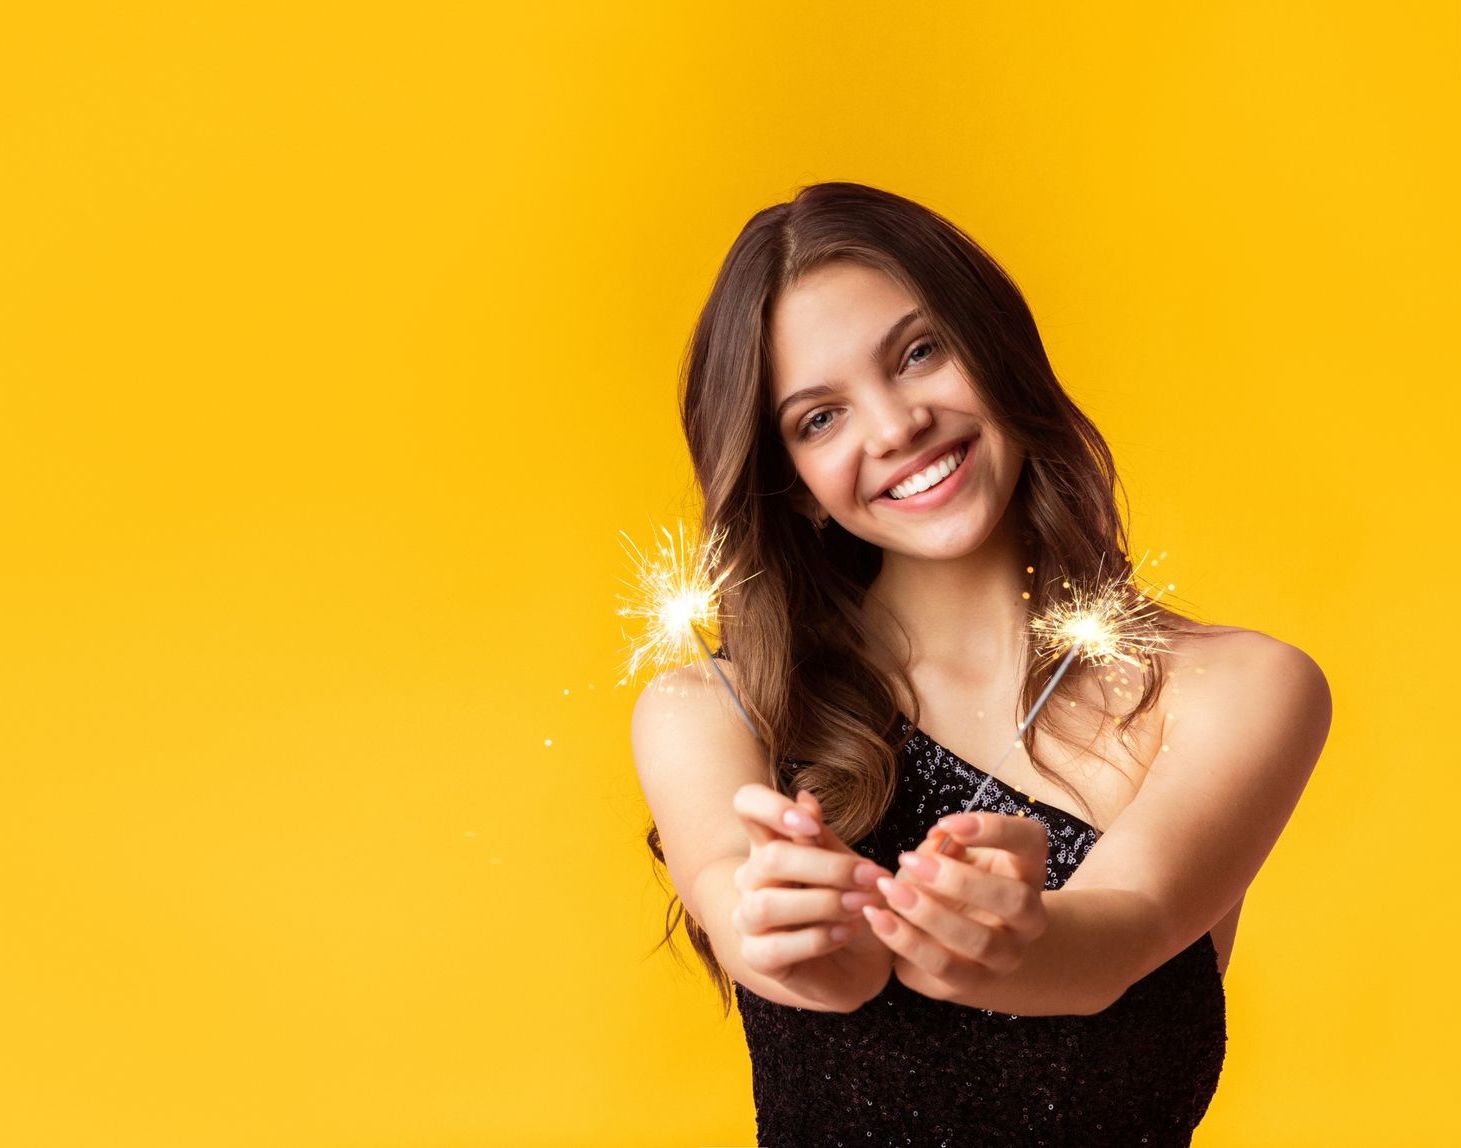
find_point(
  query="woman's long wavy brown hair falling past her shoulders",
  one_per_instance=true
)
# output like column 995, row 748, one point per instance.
column 796, row 633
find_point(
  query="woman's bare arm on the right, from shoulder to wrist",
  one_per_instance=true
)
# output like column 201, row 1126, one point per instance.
column 1244, row 740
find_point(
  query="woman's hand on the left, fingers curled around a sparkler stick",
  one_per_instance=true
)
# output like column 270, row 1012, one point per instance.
column 800, row 912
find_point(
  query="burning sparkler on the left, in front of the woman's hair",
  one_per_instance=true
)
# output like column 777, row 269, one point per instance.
column 677, row 595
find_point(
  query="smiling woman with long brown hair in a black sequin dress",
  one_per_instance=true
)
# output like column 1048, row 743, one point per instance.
column 902, row 481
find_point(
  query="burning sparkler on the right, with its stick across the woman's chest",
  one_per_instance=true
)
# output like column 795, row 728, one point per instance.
column 1113, row 621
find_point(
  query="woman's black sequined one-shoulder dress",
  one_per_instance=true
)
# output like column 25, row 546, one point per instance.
column 908, row 1070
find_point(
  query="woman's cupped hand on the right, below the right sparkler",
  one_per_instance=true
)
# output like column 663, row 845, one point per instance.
column 975, row 911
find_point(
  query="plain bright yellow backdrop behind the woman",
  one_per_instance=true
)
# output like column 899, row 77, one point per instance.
column 337, row 345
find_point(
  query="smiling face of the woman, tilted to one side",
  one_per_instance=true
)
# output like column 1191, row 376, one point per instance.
column 883, row 411
